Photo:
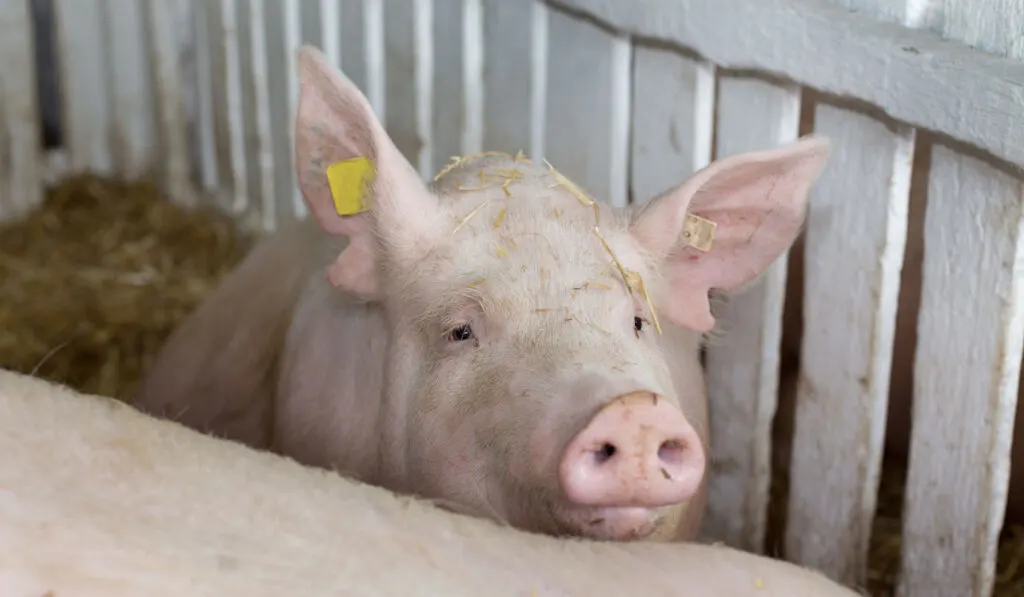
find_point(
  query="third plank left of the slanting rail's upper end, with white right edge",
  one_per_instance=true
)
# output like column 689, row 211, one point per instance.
column 408, row 59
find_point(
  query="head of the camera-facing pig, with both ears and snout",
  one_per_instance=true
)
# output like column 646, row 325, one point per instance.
column 543, row 350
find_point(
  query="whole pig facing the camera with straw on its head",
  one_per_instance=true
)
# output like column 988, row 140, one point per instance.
column 496, row 339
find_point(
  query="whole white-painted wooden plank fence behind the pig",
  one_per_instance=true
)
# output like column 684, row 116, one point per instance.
column 629, row 97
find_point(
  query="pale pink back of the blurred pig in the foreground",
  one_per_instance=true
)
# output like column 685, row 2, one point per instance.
column 99, row 500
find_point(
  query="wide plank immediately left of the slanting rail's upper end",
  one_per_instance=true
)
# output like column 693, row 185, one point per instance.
column 516, row 77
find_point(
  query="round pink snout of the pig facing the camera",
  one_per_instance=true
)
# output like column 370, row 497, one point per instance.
column 638, row 451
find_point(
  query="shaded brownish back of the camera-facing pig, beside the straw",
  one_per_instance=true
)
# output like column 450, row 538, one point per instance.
column 218, row 371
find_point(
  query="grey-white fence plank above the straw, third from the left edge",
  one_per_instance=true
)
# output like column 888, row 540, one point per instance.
column 133, row 133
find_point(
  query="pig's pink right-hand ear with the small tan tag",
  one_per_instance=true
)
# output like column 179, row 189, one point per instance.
column 757, row 200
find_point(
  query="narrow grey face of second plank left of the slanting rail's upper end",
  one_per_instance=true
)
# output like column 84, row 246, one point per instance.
column 449, row 100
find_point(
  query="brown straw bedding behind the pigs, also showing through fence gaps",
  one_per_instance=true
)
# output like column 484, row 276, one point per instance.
column 94, row 281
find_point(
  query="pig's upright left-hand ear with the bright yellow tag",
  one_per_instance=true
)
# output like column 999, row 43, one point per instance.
column 334, row 123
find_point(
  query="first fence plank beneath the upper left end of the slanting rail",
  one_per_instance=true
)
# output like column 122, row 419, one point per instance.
column 588, row 108
